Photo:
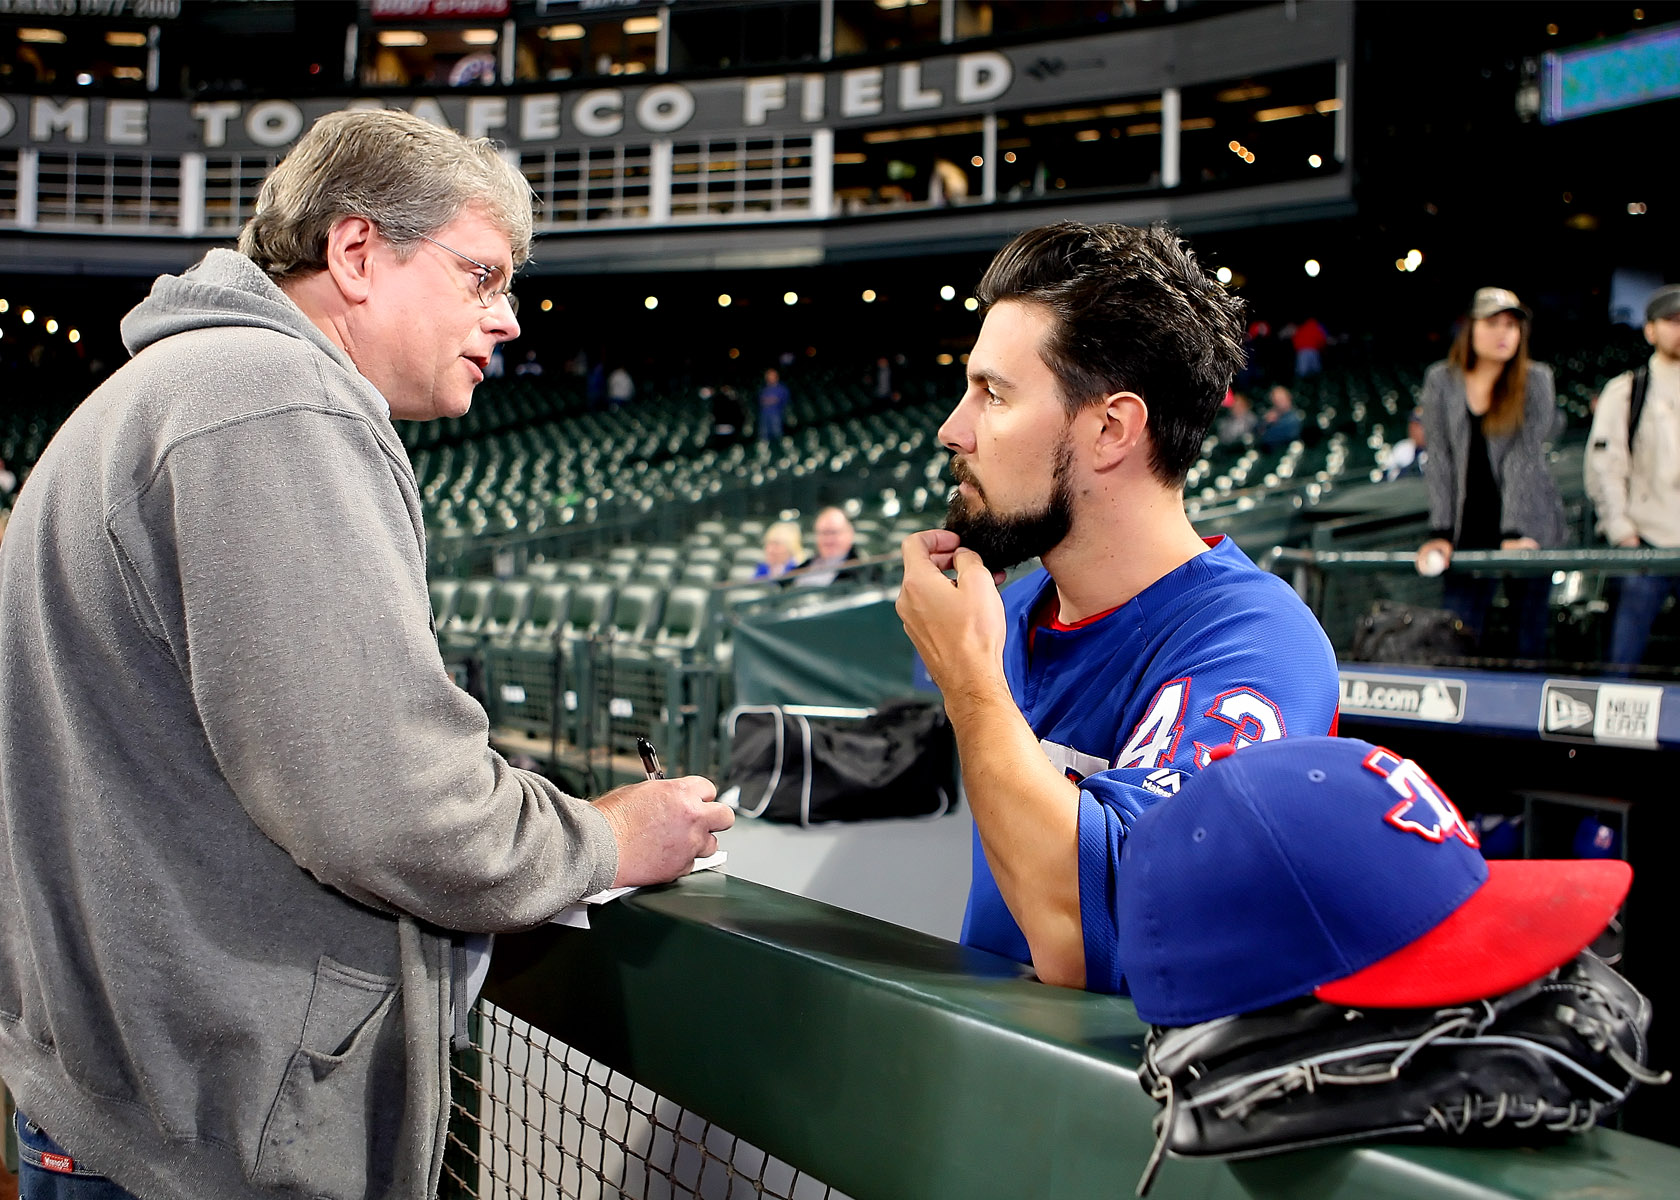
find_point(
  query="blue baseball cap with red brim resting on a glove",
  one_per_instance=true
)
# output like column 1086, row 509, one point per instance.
column 1340, row 870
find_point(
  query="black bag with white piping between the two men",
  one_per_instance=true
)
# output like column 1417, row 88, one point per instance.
column 799, row 769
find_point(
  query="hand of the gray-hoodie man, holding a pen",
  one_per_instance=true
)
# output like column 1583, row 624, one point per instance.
column 663, row 828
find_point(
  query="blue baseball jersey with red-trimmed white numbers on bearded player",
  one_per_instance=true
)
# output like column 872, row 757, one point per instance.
column 1215, row 653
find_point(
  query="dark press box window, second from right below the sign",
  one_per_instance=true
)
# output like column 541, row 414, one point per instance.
column 1100, row 147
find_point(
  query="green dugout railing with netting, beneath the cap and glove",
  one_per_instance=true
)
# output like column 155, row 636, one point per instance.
column 890, row 1065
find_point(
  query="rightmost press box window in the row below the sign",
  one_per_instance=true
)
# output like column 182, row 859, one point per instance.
column 1264, row 129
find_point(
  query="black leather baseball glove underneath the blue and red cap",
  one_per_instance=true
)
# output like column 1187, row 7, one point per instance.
column 1550, row 1058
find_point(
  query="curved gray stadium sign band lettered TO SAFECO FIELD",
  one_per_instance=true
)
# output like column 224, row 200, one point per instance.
column 915, row 93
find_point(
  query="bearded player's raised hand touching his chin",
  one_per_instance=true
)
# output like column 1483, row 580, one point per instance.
column 958, row 624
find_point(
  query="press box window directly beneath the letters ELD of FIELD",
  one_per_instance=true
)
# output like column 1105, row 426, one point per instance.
column 910, row 167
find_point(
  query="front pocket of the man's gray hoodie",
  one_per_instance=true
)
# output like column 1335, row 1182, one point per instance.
column 332, row 1130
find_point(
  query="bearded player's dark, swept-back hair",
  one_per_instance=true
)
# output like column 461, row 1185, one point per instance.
column 1131, row 312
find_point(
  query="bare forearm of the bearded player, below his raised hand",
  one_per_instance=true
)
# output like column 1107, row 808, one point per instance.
column 1027, row 816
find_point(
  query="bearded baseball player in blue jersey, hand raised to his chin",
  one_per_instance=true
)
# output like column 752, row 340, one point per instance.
column 1091, row 688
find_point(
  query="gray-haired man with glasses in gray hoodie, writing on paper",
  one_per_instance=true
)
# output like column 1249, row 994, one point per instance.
column 251, row 836
